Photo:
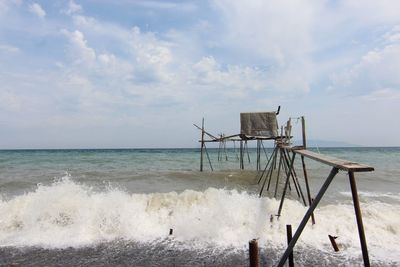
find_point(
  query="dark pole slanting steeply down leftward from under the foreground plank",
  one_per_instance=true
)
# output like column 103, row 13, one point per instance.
column 307, row 216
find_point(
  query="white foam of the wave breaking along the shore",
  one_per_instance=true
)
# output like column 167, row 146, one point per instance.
column 70, row 214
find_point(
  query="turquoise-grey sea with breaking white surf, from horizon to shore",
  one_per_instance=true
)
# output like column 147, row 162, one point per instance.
column 116, row 208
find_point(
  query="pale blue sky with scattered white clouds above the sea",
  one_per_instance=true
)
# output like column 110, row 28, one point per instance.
column 137, row 74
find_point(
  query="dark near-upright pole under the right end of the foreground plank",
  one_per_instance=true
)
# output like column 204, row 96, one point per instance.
column 360, row 226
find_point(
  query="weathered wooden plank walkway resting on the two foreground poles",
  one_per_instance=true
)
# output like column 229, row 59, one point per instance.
column 341, row 164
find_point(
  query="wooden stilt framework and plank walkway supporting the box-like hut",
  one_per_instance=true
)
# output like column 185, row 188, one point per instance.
column 281, row 153
